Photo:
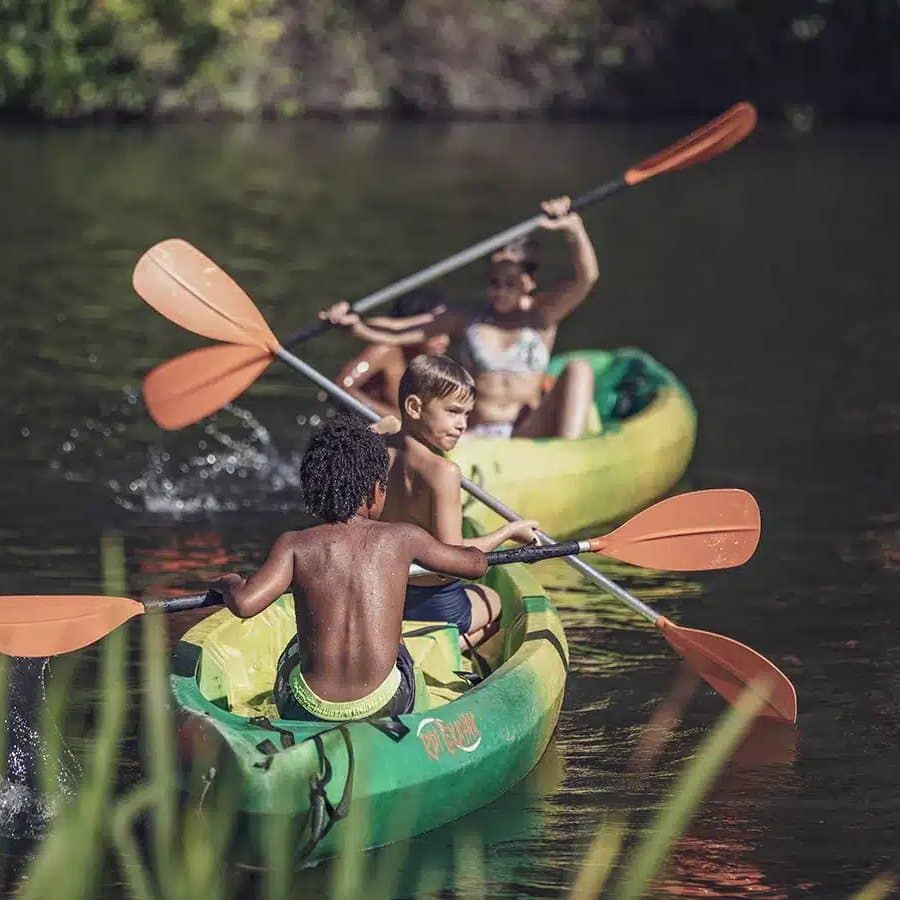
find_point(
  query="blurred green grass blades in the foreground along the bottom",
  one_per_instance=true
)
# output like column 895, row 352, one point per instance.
column 159, row 845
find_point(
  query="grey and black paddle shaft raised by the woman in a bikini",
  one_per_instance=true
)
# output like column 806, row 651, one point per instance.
column 457, row 261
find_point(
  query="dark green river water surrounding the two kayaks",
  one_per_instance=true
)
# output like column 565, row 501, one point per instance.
column 766, row 280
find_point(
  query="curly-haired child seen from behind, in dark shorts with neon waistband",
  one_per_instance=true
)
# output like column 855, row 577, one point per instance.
column 348, row 576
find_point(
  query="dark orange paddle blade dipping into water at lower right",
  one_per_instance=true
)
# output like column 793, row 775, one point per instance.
column 729, row 667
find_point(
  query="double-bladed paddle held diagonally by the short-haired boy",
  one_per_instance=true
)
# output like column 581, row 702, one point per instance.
column 190, row 289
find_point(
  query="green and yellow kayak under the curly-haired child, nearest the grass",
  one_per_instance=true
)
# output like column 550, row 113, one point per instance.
column 472, row 735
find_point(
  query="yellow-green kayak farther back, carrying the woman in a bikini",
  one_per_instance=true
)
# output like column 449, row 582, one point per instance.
column 638, row 443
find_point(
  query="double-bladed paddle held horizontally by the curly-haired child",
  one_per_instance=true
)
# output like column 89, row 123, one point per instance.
column 700, row 530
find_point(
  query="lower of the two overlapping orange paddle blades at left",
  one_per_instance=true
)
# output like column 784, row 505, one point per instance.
column 194, row 385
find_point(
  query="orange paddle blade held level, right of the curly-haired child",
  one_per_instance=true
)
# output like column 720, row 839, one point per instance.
column 715, row 529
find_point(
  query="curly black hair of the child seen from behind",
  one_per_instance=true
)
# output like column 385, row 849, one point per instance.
column 342, row 465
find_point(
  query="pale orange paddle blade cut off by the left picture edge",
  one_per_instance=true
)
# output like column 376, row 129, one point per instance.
column 50, row 625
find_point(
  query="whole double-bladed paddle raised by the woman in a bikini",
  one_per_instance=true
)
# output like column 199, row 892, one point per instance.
column 208, row 378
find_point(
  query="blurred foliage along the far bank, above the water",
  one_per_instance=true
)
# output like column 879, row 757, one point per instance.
column 68, row 58
